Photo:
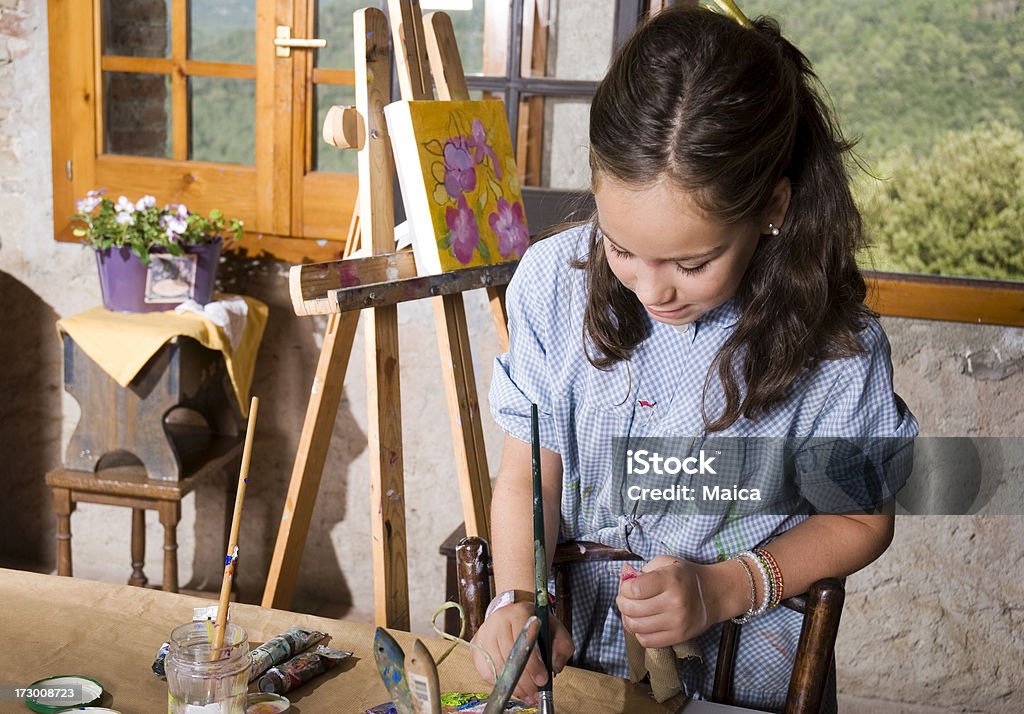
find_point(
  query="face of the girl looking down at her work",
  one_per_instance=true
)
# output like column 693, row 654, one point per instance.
column 679, row 262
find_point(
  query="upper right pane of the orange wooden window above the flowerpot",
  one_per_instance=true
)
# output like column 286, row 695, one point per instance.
column 223, row 31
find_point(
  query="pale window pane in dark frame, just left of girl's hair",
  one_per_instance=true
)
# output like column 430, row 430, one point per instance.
column 578, row 38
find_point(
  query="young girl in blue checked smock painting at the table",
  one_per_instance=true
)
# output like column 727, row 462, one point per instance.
column 715, row 295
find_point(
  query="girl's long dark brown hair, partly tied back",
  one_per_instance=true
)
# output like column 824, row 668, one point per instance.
column 726, row 112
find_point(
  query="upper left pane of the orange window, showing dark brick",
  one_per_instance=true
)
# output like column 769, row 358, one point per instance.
column 138, row 28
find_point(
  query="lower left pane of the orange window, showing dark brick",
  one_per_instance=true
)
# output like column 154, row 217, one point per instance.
column 138, row 114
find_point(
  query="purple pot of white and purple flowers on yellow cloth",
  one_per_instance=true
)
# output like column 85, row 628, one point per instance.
column 152, row 259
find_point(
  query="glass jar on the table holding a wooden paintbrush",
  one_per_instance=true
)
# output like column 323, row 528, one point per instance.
column 201, row 680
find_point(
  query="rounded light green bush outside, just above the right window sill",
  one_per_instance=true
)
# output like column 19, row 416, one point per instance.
column 957, row 212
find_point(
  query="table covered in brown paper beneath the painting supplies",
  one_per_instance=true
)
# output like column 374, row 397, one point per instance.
column 111, row 634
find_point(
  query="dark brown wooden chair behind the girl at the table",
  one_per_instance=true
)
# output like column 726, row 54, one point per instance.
column 822, row 608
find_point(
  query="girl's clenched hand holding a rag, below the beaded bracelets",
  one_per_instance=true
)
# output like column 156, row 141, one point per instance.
column 664, row 606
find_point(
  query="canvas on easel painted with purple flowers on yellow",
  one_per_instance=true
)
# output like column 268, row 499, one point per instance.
column 459, row 184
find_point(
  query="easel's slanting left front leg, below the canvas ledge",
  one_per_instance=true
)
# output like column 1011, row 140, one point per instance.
column 314, row 444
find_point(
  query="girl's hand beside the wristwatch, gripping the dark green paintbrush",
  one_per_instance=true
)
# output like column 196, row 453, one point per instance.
column 497, row 636
